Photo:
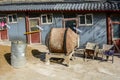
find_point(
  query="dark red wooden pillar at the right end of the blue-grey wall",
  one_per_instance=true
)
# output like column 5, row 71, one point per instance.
column 109, row 29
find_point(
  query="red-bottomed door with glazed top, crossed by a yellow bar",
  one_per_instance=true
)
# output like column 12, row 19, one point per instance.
column 35, row 34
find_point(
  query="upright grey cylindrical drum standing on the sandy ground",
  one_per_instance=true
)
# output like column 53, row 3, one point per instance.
column 18, row 49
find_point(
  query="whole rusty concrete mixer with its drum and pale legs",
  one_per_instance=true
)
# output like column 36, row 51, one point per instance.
column 61, row 43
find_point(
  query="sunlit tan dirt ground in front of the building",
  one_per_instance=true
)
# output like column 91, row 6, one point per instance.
column 36, row 69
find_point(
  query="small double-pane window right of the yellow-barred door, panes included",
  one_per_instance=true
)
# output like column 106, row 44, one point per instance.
column 46, row 19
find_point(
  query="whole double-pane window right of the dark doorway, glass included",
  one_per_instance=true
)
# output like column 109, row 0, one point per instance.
column 86, row 19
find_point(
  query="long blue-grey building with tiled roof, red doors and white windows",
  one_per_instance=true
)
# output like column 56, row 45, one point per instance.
column 98, row 21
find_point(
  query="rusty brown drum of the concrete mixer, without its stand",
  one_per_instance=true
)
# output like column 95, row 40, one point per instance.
column 61, row 40
